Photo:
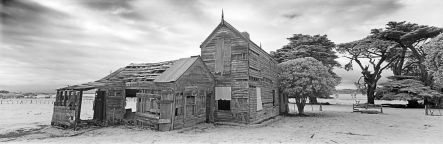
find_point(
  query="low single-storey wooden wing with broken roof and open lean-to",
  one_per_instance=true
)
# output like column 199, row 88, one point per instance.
column 170, row 95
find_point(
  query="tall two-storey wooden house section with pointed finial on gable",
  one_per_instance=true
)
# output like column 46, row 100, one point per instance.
column 246, row 76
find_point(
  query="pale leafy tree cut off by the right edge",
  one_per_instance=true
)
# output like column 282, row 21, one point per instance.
column 434, row 59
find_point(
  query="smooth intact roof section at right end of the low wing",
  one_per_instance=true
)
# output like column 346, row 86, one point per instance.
column 176, row 70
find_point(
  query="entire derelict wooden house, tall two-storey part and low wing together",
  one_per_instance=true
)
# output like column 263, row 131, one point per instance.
column 234, row 80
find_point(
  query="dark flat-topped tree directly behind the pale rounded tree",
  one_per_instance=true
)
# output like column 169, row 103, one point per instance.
column 316, row 46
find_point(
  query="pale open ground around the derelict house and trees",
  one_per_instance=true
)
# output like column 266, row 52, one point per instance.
column 335, row 124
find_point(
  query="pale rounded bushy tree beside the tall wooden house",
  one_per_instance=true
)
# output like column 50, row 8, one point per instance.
column 305, row 77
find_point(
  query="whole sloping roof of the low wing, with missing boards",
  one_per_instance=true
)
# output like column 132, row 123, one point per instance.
column 167, row 71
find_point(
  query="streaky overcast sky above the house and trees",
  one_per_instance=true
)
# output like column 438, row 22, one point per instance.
column 48, row 44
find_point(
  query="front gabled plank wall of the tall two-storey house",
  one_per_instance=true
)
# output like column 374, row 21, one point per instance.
column 235, row 74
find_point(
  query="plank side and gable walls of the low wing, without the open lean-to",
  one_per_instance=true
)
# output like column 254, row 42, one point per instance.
column 182, row 103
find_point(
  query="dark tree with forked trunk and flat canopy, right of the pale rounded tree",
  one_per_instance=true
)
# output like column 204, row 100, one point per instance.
column 376, row 52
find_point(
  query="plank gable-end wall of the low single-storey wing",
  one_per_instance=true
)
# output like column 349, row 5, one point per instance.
column 194, row 93
